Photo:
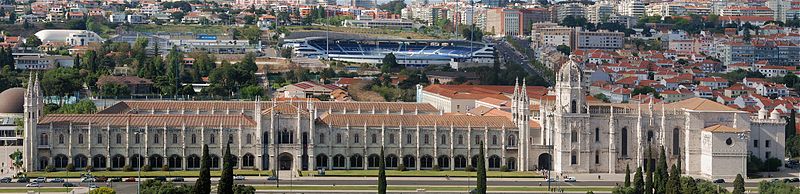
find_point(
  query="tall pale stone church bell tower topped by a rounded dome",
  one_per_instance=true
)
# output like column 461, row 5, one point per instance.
column 570, row 120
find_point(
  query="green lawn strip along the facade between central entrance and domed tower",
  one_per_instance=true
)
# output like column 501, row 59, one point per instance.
column 430, row 173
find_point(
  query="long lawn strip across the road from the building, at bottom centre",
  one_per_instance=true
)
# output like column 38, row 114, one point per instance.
column 429, row 188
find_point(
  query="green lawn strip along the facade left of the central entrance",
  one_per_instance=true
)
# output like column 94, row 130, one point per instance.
column 63, row 174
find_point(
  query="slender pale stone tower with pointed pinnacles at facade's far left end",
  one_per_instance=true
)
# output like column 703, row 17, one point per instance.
column 33, row 112
